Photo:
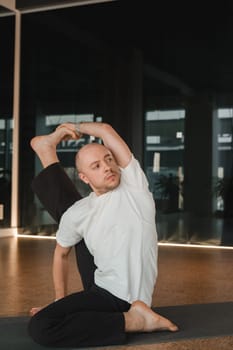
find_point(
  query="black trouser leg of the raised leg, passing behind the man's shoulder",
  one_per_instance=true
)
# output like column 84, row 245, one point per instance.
column 57, row 193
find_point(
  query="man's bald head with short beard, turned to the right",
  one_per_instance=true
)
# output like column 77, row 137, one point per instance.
column 98, row 168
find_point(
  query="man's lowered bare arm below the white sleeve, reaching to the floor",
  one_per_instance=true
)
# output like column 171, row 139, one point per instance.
column 60, row 270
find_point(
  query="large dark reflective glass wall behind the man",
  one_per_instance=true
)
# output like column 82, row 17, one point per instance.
column 163, row 80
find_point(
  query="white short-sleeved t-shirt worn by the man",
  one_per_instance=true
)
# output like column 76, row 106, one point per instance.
column 120, row 232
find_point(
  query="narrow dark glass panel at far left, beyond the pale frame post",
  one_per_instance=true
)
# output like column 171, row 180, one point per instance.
column 6, row 109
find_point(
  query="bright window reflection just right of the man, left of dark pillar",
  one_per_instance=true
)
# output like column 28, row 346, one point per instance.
column 164, row 153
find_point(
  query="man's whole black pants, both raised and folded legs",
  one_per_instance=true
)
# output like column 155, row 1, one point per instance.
column 93, row 317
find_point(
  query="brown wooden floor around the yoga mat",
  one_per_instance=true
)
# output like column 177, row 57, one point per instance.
column 187, row 275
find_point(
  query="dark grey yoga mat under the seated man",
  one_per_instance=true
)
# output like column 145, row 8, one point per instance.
column 194, row 321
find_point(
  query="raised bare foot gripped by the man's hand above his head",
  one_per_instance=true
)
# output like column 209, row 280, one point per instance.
column 45, row 145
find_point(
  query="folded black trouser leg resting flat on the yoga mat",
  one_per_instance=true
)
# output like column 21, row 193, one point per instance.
column 89, row 318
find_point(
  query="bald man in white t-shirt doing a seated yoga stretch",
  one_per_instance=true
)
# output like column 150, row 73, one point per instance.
column 116, row 222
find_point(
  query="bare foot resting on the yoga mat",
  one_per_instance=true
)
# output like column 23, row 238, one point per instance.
column 141, row 318
